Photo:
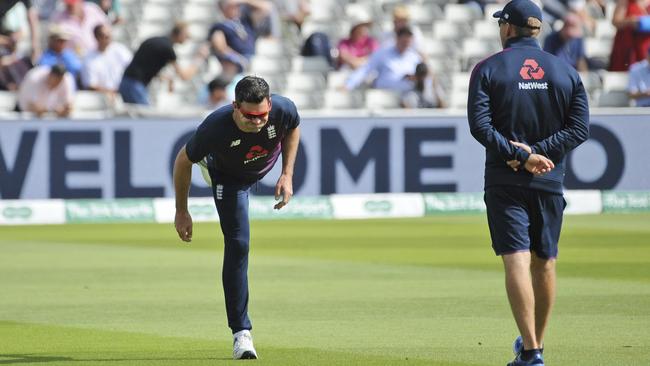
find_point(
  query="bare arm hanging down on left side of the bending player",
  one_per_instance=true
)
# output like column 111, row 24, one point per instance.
column 182, row 179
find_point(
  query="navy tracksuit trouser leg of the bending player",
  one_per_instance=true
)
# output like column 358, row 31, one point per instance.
column 232, row 205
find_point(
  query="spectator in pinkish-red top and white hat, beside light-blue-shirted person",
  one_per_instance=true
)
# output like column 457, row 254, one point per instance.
column 355, row 50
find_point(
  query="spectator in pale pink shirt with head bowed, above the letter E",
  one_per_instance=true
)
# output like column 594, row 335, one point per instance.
column 47, row 89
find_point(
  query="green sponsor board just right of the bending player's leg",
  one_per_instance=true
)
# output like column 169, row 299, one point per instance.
column 298, row 207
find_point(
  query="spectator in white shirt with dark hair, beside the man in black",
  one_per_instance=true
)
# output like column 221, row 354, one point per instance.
column 103, row 68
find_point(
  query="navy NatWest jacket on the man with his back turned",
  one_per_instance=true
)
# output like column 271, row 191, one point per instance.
column 527, row 95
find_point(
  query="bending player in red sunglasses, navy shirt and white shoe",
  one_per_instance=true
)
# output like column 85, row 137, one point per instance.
column 239, row 144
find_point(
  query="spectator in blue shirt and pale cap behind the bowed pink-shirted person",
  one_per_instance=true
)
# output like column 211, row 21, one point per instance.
column 58, row 52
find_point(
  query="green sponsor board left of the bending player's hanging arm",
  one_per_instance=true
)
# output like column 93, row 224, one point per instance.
column 122, row 210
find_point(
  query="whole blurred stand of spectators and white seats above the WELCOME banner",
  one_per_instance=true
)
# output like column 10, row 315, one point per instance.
column 99, row 58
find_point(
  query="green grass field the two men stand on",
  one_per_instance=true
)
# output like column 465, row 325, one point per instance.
column 378, row 292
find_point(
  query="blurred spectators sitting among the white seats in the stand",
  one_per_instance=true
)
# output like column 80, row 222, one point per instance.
column 80, row 54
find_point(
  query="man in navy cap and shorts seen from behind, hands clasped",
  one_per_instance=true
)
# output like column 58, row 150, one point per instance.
column 529, row 109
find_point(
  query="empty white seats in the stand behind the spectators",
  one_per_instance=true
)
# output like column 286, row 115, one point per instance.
column 456, row 36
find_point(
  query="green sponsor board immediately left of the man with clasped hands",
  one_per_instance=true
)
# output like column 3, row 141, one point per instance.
column 435, row 203
